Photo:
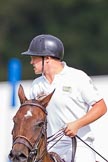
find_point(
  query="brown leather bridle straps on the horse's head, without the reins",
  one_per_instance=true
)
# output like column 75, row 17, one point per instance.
column 23, row 140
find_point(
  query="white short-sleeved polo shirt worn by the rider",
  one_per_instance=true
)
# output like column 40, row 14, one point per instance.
column 74, row 94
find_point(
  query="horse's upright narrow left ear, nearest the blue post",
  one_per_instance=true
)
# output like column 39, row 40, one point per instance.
column 21, row 94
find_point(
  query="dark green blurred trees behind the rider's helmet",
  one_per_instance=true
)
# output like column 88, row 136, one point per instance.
column 82, row 25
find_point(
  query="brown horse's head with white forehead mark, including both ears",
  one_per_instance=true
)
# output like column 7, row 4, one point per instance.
column 29, row 131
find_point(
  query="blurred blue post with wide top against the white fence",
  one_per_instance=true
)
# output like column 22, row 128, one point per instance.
column 14, row 75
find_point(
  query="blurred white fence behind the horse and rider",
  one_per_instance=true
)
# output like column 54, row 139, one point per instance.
column 7, row 112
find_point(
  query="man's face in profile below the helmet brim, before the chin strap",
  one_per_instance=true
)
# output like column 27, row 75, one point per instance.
column 36, row 61
